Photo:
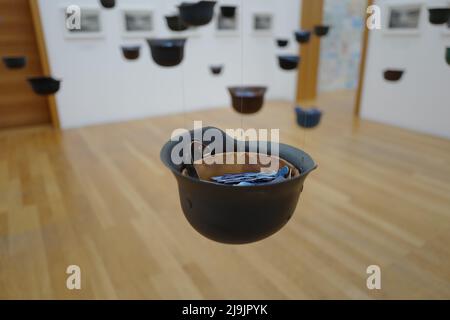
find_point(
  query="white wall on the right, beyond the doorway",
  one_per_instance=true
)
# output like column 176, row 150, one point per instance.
column 421, row 99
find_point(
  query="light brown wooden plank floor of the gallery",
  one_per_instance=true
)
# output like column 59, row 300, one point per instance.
column 99, row 197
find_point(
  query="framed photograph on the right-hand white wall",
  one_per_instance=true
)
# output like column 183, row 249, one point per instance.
column 403, row 19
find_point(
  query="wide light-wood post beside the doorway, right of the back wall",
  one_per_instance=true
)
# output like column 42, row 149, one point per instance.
column 311, row 15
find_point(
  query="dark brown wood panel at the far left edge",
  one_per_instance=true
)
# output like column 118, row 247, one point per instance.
column 19, row 105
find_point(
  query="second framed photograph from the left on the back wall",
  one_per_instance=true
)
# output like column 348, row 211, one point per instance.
column 137, row 22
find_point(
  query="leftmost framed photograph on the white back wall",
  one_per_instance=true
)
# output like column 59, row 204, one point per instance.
column 90, row 24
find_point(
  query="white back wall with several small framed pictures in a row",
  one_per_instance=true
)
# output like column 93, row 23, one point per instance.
column 100, row 86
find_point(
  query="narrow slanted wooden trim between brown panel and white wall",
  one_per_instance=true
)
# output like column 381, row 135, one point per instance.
column 44, row 58
